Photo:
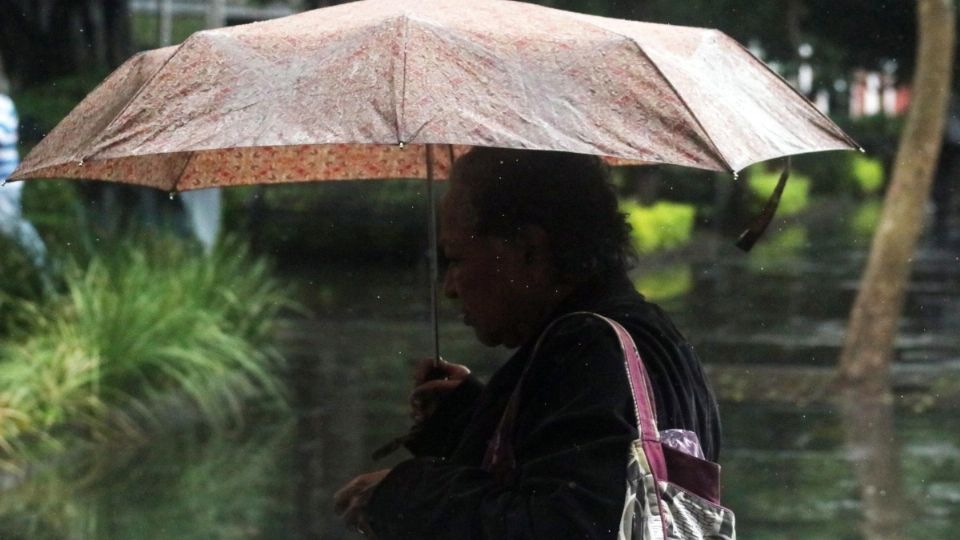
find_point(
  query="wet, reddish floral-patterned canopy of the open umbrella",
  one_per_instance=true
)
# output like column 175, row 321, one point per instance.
column 352, row 90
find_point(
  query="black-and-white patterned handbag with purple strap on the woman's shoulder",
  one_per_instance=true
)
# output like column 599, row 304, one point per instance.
column 672, row 493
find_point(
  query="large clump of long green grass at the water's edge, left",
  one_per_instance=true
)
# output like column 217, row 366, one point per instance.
column 147, row 334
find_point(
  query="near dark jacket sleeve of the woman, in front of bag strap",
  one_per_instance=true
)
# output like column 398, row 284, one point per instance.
column 573, row 431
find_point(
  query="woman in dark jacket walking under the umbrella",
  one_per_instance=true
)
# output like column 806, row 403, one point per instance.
column 532, row 237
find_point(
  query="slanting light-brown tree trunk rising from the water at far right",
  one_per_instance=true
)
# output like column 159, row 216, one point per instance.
column 868, row 347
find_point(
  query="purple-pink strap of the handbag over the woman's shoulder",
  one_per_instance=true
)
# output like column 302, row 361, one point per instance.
column 500, row 458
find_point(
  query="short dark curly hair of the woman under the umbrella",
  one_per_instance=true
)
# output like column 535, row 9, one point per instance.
column 568, row 195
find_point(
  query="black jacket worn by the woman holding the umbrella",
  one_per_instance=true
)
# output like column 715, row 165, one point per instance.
column 572, row 433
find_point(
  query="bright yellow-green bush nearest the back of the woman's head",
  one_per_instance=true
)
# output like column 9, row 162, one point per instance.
column 664, row 225
